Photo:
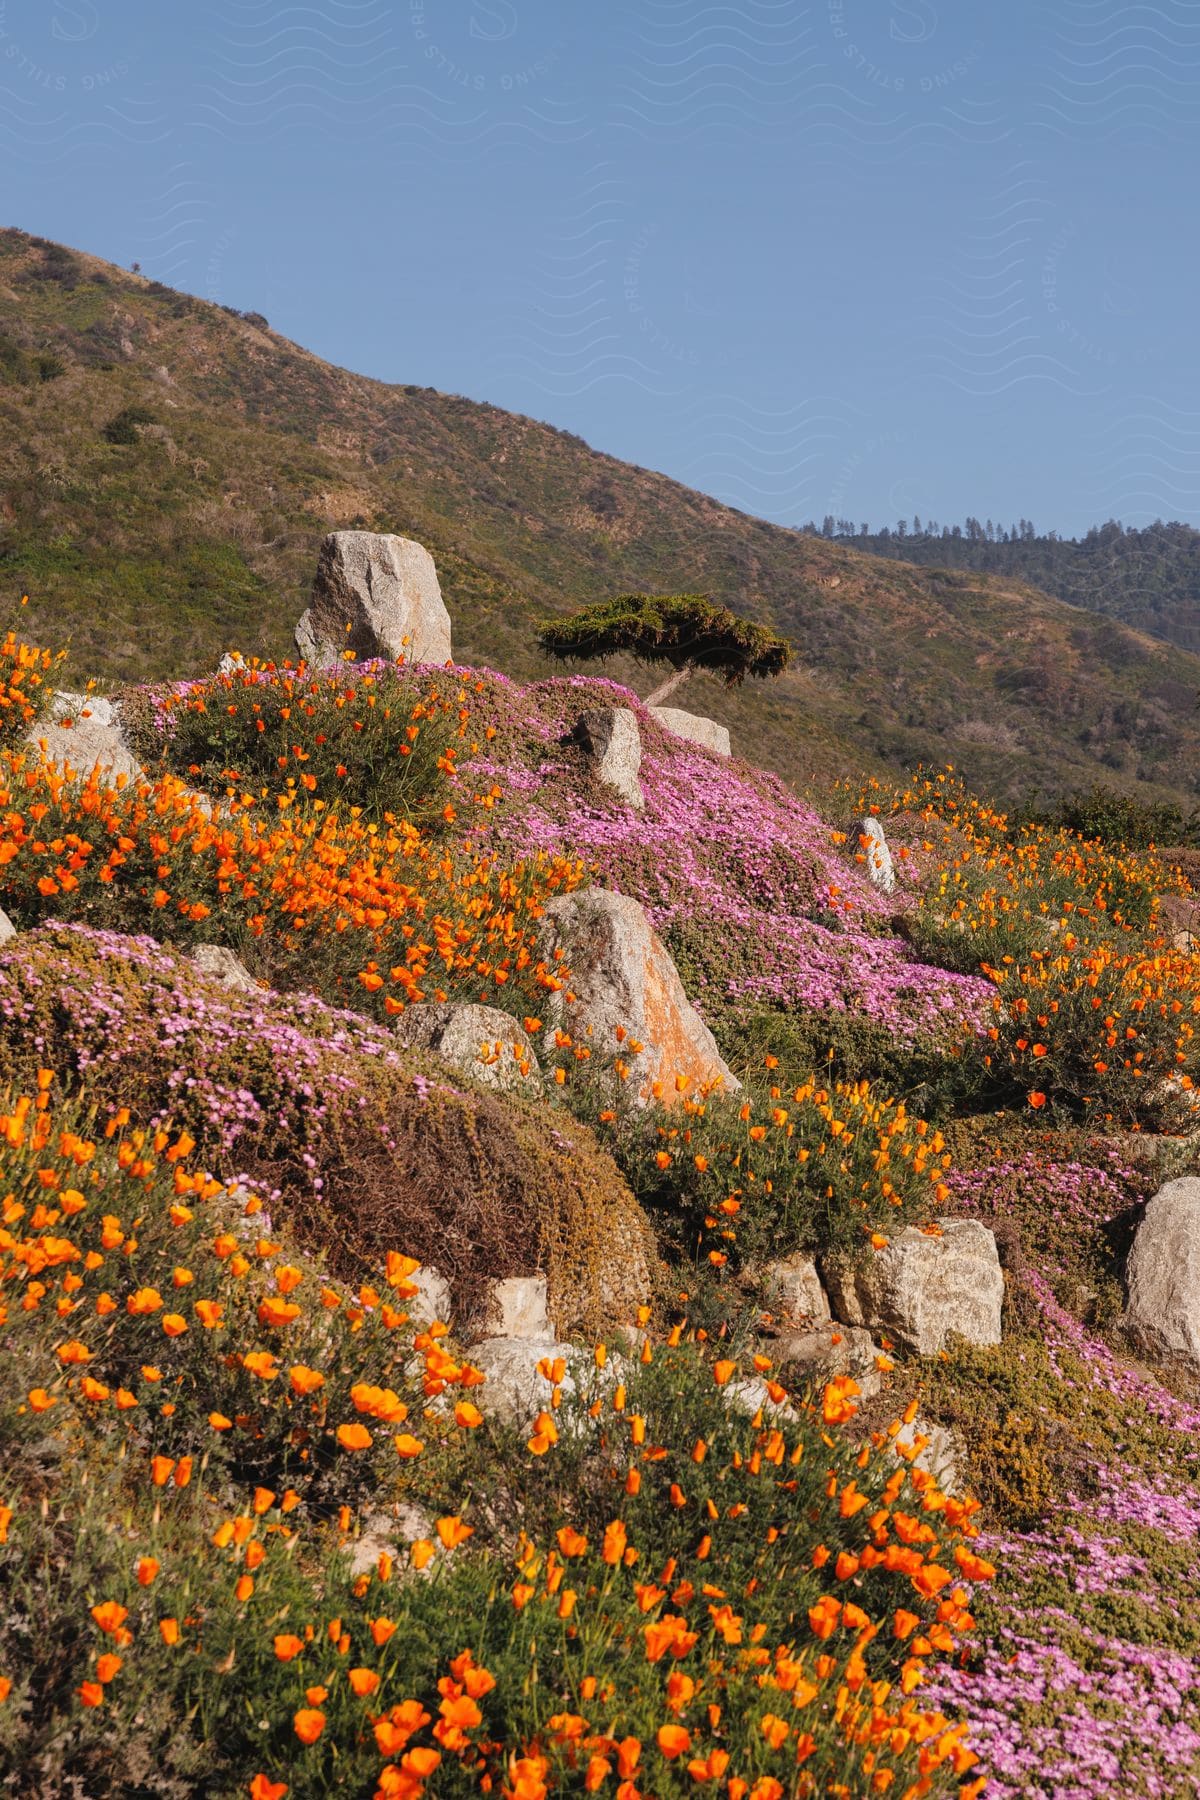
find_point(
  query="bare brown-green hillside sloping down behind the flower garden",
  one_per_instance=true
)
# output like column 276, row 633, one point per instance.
column 168, row 469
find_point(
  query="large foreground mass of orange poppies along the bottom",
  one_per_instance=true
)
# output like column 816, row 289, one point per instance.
column 751, row 1612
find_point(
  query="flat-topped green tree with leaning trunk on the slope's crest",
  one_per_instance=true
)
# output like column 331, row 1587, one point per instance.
column 686, row 631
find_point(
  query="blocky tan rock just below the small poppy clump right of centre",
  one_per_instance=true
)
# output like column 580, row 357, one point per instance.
column 926, row 1286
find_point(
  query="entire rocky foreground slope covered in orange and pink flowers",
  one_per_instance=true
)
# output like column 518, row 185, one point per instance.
column 425, row 1380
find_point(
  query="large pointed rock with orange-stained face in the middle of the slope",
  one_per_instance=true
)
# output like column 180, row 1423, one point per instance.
column 627, row 991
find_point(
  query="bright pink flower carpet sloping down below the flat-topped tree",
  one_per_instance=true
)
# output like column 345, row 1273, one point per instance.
column 726, row 849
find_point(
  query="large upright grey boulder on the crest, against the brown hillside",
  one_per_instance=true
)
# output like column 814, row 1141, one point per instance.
column 379, row 597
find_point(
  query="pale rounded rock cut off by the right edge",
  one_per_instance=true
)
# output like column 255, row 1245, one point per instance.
column 1165, row 1273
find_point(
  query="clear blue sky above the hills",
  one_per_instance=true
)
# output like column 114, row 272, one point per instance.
column 868, row 258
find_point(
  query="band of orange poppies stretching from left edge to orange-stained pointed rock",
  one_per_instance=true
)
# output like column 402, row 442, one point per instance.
column 397, row 913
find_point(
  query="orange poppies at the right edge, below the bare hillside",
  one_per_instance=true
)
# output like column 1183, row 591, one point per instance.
column 1097, row 1009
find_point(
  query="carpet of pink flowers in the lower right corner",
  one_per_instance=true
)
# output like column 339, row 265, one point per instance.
column 1093, row 1677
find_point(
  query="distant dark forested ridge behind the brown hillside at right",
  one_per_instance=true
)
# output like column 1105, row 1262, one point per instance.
column 1149, row 577
